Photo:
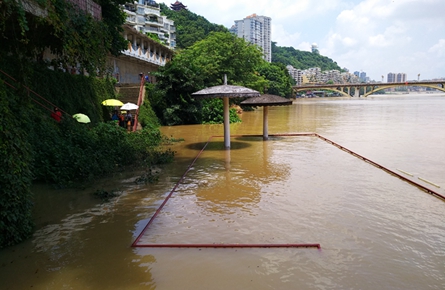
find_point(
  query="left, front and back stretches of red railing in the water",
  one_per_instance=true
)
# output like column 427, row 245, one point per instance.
column 136, row 241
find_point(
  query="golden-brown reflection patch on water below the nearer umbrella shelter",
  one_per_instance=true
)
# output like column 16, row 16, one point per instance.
column 236, row 181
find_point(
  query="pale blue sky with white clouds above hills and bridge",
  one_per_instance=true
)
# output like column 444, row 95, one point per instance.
column 374, row 36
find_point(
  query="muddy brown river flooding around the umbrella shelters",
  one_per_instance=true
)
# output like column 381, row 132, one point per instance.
column 376, row 231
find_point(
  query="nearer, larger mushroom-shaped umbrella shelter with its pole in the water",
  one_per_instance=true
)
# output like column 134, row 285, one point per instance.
column 225, row 92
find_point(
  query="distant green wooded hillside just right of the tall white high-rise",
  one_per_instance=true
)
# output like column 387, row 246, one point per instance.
column 301, row 59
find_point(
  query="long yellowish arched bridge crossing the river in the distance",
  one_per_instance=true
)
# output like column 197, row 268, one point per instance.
column 373, row 87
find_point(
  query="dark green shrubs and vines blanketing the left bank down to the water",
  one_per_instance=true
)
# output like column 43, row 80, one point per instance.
column 34, row 147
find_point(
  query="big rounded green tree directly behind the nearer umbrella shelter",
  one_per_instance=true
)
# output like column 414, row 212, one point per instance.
column 202, row 65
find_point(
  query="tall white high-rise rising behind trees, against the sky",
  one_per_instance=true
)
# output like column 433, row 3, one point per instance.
column 255, row 29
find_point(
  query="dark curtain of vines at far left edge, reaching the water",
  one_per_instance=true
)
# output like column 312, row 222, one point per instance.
column 15, row 170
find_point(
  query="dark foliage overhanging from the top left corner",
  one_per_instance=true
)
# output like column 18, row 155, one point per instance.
column 73, row 36
